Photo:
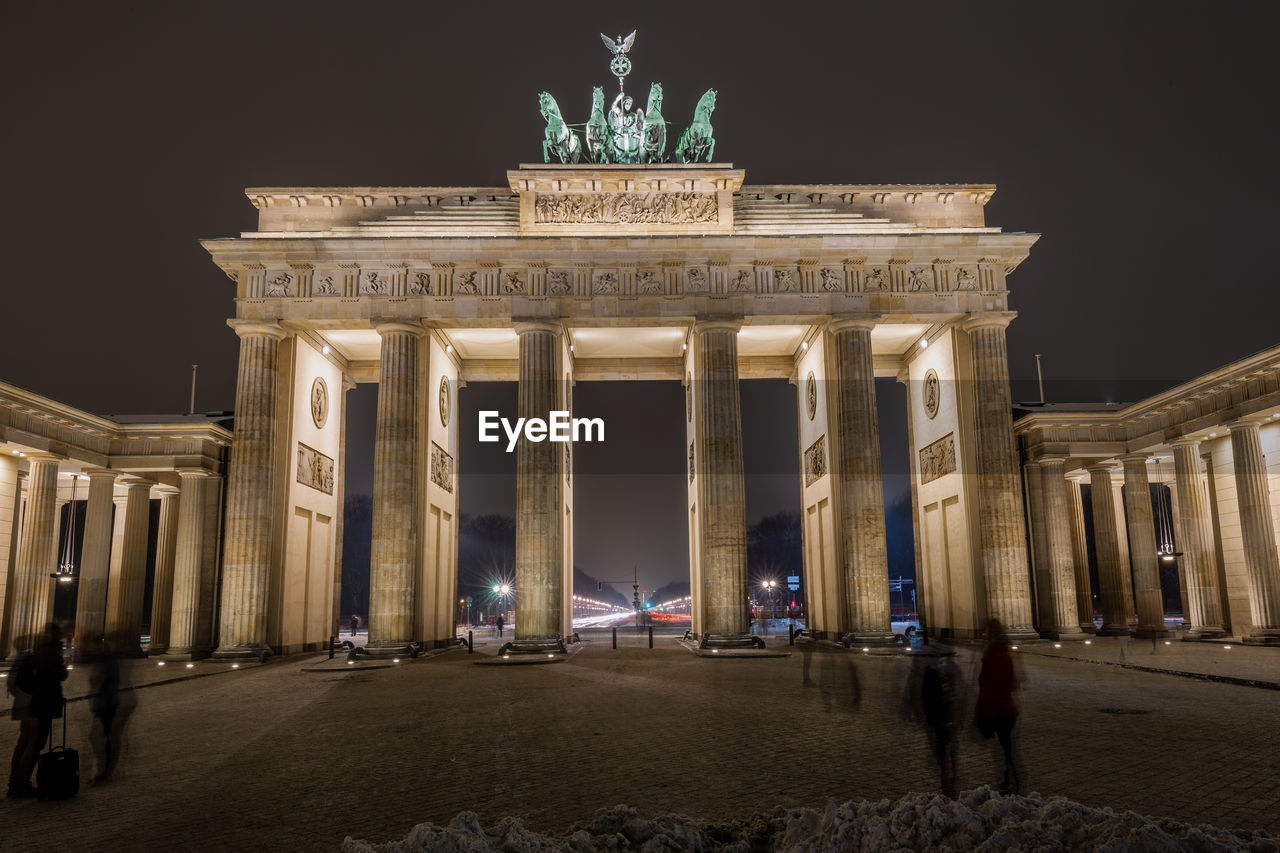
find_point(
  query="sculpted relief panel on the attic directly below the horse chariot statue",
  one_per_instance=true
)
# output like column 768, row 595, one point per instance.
column 628, row 208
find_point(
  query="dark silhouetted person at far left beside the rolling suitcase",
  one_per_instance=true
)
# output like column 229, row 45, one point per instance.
column 36, row 685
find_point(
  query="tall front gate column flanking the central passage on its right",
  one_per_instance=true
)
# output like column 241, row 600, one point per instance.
column 723, row 492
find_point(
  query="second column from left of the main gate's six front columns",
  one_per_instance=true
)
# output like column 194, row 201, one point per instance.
column 394, row 564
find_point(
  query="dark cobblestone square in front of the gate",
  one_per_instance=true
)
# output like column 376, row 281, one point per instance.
column 276, row 759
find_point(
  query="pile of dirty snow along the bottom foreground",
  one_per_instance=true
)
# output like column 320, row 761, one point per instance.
column 981, row 820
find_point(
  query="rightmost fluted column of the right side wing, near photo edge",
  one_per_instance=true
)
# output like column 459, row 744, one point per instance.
column 1258, row 530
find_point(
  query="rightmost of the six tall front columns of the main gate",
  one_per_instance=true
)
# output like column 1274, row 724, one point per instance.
column 1000, row 514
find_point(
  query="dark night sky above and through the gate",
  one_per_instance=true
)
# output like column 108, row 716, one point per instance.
column 1135, row 138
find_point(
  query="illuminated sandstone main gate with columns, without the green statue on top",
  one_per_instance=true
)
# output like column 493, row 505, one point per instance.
column 579, row 272
